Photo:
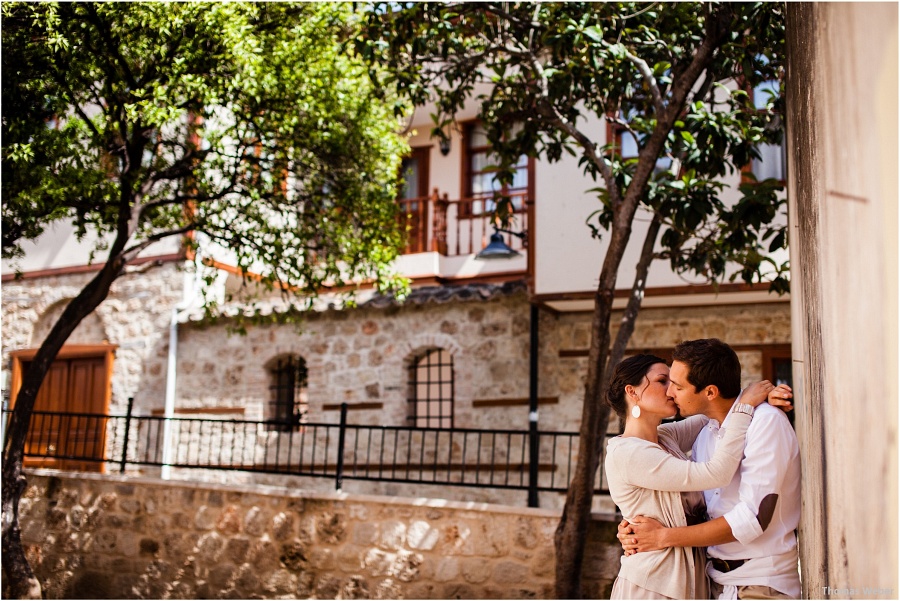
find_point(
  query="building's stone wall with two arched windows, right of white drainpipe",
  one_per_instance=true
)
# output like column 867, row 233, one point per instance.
column 361, row 357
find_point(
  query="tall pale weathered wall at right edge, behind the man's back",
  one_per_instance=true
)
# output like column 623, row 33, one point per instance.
column 843, row 109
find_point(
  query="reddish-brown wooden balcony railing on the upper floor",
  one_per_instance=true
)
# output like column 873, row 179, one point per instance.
column 457, row 227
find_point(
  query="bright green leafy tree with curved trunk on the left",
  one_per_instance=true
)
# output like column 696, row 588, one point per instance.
column 251, row 126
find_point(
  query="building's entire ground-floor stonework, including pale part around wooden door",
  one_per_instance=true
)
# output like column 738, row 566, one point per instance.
column 361, row 356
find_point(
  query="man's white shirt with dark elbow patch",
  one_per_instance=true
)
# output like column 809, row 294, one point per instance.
column 771, row 465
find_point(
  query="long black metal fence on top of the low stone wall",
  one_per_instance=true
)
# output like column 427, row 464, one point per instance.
column 503, row 459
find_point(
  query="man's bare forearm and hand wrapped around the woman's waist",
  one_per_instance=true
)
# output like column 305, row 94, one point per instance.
column 646, row 534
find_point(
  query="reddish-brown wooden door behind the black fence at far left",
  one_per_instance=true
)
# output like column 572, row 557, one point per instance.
column 79, row 387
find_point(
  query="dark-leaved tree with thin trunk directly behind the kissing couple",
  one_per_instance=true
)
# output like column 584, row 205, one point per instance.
column 675, row 76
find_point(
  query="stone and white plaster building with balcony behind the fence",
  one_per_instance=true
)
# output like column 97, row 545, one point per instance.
column 455, row 354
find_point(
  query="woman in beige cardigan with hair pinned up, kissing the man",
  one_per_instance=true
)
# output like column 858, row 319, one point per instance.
column 649, row 474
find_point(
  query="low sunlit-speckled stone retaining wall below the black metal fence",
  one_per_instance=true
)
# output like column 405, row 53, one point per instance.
column 99, row 536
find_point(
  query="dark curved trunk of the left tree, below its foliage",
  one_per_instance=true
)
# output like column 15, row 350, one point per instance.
column 19, row 580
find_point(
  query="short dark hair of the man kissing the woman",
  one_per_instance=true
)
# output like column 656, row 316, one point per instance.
column 710, row 361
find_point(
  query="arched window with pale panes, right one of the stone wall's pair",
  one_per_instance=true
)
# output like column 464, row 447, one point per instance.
column 431, row 390
